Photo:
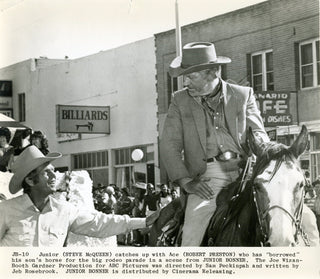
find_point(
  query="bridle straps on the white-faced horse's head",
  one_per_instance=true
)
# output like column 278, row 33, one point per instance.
column 262, row 215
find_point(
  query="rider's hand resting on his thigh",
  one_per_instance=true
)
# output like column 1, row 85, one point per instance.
column 200, row 188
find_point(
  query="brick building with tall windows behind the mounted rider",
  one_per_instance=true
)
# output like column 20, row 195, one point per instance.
column 274, row 47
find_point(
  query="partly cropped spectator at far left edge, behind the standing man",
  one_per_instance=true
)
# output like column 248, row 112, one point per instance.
column 6, row 150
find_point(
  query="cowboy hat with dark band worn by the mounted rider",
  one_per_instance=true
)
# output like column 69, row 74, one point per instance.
column 195, row 57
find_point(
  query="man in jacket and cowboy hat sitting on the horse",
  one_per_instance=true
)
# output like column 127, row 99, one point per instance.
column 207, row 120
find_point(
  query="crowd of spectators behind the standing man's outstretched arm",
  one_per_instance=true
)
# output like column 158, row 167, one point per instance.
column 137, row 203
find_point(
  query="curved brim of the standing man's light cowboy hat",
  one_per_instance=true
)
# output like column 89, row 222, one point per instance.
column 19, row 175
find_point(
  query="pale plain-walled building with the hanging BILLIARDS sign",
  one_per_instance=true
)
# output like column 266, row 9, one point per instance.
column 95, row 110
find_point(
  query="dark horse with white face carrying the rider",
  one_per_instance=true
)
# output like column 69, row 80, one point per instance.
column 264, row 209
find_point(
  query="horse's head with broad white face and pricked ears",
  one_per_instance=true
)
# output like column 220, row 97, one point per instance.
column 278, row 189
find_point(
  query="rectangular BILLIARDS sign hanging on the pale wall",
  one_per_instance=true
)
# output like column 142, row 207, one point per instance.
column 83, row 119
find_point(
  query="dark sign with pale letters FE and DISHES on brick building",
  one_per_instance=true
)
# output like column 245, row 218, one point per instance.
column 275, row 108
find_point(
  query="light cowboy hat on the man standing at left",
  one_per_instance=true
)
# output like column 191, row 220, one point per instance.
column 27, row 161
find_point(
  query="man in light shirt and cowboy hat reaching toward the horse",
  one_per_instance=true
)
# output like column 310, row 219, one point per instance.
column 36, row 218
